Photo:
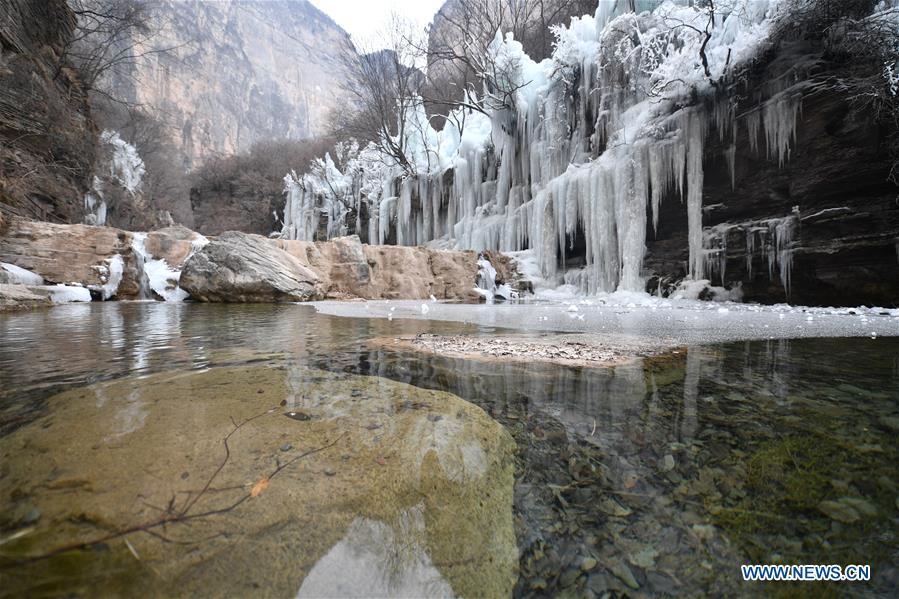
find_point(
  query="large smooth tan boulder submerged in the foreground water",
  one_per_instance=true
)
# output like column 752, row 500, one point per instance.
column 434, row 518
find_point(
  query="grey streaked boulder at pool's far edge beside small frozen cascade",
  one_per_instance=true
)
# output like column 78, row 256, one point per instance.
column 239, row 267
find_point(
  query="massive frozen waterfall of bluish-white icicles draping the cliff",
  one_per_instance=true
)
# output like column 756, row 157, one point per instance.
column 598, row 135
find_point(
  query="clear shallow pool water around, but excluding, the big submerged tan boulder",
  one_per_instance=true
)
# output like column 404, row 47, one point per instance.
column 659, row 476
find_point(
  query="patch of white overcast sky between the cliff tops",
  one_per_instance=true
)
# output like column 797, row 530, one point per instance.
column 366, row 19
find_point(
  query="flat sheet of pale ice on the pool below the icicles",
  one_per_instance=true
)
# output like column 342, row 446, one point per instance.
column 652, row 322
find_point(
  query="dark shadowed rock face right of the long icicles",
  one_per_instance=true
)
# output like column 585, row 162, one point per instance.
column 838, row 212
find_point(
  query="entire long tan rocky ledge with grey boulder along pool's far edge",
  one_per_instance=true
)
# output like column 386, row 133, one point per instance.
column 84, row 263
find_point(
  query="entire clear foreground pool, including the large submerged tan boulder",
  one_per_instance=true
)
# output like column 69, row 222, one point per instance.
column 358, row 468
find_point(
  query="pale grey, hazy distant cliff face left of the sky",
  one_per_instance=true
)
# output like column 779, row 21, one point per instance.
column 236, row 72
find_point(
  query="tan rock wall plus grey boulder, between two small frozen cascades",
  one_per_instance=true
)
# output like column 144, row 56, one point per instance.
column 238, row 267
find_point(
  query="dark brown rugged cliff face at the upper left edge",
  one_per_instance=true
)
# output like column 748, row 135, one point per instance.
column 47, row 139
